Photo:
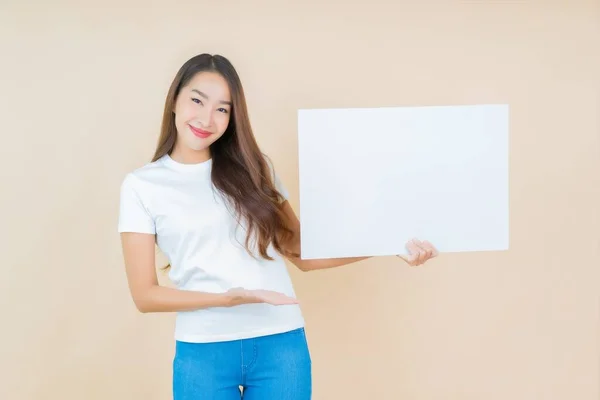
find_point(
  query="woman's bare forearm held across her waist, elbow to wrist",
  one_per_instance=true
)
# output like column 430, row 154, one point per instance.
column 164, row 299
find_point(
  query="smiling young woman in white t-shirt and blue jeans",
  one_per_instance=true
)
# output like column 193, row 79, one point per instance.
column 214, row 205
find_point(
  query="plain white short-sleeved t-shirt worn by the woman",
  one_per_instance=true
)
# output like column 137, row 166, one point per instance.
column 204, row 243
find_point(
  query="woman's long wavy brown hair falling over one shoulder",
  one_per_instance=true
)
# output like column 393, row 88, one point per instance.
column 240, row 170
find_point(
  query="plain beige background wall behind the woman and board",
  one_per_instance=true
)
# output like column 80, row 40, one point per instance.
column 82, row 94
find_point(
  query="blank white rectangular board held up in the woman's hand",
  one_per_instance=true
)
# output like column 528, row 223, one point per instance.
column 373, row 178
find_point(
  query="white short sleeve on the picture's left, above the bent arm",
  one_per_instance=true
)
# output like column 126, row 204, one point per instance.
column 133, row 214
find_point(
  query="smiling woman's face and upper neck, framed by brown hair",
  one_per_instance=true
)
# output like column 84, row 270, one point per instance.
column 202, row 113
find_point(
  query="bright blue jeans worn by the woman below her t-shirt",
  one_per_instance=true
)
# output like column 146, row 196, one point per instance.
column 276, row 367
